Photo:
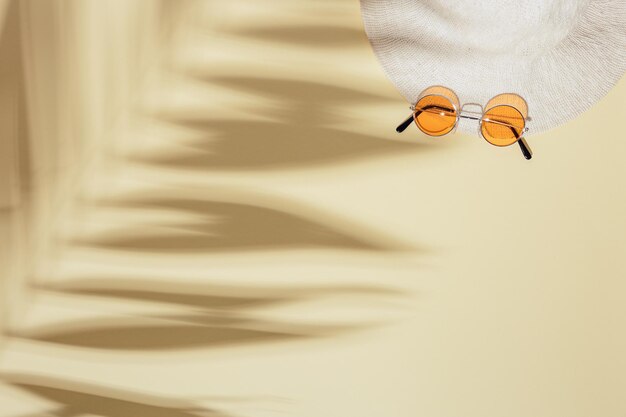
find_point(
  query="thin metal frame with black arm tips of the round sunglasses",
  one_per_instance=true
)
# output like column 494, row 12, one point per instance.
column 470, row 115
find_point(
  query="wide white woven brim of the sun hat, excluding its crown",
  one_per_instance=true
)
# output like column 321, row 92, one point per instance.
column 418, row 49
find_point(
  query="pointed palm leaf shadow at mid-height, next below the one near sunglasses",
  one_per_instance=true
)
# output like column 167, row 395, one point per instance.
column 233, row 226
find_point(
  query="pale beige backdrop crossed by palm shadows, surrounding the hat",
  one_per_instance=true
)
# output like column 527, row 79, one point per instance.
column 251, row 236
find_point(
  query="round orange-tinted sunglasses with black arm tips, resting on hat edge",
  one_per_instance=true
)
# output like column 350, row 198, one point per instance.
column 502, row 121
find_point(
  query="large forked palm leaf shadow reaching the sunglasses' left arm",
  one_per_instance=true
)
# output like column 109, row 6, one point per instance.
column 301, row 131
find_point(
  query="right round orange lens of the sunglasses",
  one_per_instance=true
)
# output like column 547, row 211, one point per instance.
column 502, row 125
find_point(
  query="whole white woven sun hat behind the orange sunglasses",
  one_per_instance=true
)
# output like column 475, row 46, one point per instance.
column 560, row 55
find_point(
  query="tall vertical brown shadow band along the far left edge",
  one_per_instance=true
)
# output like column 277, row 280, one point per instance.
column 20, row 203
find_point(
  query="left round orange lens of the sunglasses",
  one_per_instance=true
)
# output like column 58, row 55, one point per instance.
column 435, row 115
